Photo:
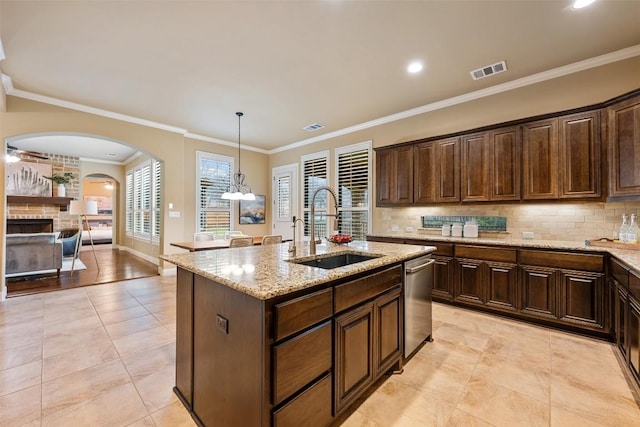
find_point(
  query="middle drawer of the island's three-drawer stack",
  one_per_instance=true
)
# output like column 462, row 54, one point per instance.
column 301, row 359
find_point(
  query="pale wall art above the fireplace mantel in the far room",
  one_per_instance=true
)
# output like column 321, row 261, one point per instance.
column 27, row 179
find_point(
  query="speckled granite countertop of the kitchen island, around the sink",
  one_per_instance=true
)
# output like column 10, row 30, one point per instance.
column 264, row 272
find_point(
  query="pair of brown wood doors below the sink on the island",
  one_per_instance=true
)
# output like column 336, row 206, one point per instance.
column 368, row 342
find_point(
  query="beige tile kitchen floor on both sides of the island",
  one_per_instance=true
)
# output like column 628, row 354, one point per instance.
column 105, row 355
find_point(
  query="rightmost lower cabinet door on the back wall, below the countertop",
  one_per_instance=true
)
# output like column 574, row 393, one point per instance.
column 581, row 298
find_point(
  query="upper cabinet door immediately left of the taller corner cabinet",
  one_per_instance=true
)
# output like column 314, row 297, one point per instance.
column 580, row 155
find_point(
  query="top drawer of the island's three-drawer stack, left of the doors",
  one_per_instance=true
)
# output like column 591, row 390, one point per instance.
column 297, row 314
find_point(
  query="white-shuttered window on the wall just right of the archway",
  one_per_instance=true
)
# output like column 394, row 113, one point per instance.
column 143, row 203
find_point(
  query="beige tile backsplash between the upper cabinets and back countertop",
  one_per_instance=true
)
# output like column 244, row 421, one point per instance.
column 575, row 221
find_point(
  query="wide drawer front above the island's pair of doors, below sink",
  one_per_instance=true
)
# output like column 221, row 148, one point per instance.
column 359, row 290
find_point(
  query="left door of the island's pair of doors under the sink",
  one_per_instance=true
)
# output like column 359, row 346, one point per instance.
column 354, row 368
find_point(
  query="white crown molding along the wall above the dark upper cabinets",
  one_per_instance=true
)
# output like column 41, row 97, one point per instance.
column 554, row 73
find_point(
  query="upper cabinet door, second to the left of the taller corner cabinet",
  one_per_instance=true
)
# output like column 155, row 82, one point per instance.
column 540, row 159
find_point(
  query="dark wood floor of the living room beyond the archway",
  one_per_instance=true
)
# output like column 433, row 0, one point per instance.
column 115, row 265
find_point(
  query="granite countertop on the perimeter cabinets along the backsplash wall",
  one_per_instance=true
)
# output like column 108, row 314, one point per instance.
column 630, row 257
